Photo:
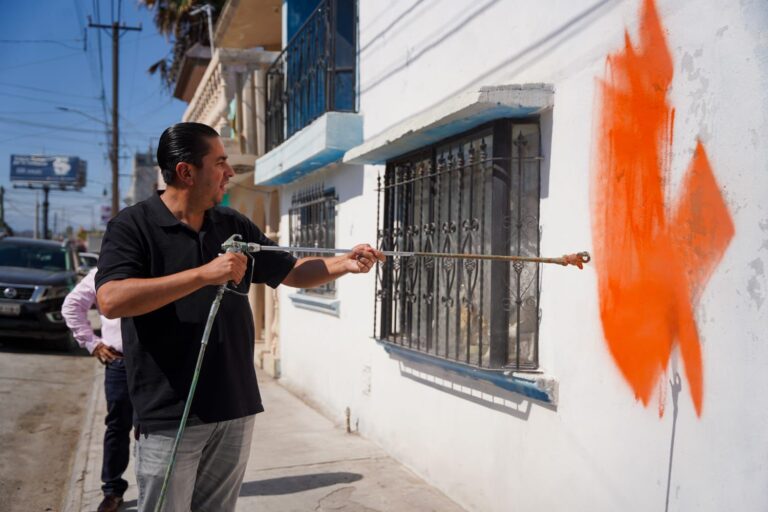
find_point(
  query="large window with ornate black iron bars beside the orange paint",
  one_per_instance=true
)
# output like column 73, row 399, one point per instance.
column 477, row 193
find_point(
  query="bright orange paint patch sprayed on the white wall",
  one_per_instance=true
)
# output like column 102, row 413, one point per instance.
column 652, row 261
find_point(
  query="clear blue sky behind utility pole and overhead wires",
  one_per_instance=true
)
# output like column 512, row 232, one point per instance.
column 38, row 77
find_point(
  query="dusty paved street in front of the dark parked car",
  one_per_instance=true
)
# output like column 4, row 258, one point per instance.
column 43, row 396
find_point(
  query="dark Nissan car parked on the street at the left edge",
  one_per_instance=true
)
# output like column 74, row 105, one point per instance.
column 35, row 276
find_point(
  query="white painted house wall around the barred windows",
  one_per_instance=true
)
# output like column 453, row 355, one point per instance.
column 600, row 448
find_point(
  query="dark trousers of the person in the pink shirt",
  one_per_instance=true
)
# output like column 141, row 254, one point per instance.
column 117, row 438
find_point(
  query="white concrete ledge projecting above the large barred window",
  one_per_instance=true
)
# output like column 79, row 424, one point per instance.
column 459, row 114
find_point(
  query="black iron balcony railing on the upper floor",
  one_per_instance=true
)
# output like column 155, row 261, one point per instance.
column 315, row 73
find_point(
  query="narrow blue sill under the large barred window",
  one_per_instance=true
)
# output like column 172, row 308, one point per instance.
column 511, row 383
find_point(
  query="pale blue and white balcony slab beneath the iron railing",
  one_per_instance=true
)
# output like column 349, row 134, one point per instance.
column 321, row 143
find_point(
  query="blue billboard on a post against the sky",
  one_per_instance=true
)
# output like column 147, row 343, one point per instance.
column 53, row 170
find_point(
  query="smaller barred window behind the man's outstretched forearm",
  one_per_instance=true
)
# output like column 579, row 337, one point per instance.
column 312, row 218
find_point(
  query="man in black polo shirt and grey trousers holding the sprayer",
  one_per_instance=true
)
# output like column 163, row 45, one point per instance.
column 159, row 268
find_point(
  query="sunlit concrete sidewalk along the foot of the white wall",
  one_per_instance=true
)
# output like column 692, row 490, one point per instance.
column 299, row 462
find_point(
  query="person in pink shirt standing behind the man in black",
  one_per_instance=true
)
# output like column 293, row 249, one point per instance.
column 108, row 349
